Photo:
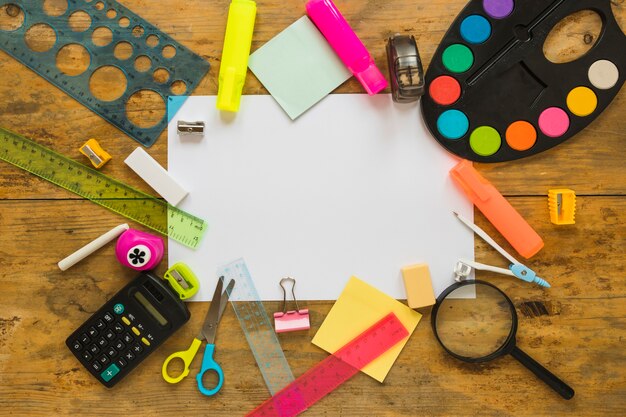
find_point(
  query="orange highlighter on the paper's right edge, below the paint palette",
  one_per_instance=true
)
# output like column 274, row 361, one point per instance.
column 497, row 209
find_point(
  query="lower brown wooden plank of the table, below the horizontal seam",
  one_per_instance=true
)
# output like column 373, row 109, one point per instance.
column 579, row 336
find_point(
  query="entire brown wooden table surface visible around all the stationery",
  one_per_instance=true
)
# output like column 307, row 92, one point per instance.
column 577, row 328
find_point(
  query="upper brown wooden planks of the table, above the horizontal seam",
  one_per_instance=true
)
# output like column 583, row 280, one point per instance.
column 45, row 113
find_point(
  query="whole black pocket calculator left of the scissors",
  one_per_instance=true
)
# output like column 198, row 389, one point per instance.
column 129, row 327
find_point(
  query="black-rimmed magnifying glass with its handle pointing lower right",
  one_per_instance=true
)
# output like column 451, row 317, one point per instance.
column 483, row 328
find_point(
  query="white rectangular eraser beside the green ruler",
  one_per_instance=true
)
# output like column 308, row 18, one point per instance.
column 156, row 176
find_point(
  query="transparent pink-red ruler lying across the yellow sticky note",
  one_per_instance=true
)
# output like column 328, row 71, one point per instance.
column 333, row 371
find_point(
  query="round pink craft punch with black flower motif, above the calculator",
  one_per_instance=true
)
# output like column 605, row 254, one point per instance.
column 139, row 250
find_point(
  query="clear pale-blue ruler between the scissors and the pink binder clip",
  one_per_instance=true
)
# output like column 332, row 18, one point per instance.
column 257, row 327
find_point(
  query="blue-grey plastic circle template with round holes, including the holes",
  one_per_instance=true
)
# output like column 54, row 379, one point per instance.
column 112, row 43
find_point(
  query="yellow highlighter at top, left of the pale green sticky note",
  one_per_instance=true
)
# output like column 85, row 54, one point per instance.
column 237, row 41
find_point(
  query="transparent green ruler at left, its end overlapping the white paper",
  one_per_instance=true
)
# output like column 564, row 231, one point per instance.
column 88, row 183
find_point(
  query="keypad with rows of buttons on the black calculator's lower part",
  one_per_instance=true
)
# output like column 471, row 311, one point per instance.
column 109, row 345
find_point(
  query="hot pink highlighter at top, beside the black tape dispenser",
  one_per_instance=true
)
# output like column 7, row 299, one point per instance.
column 346, row 44
